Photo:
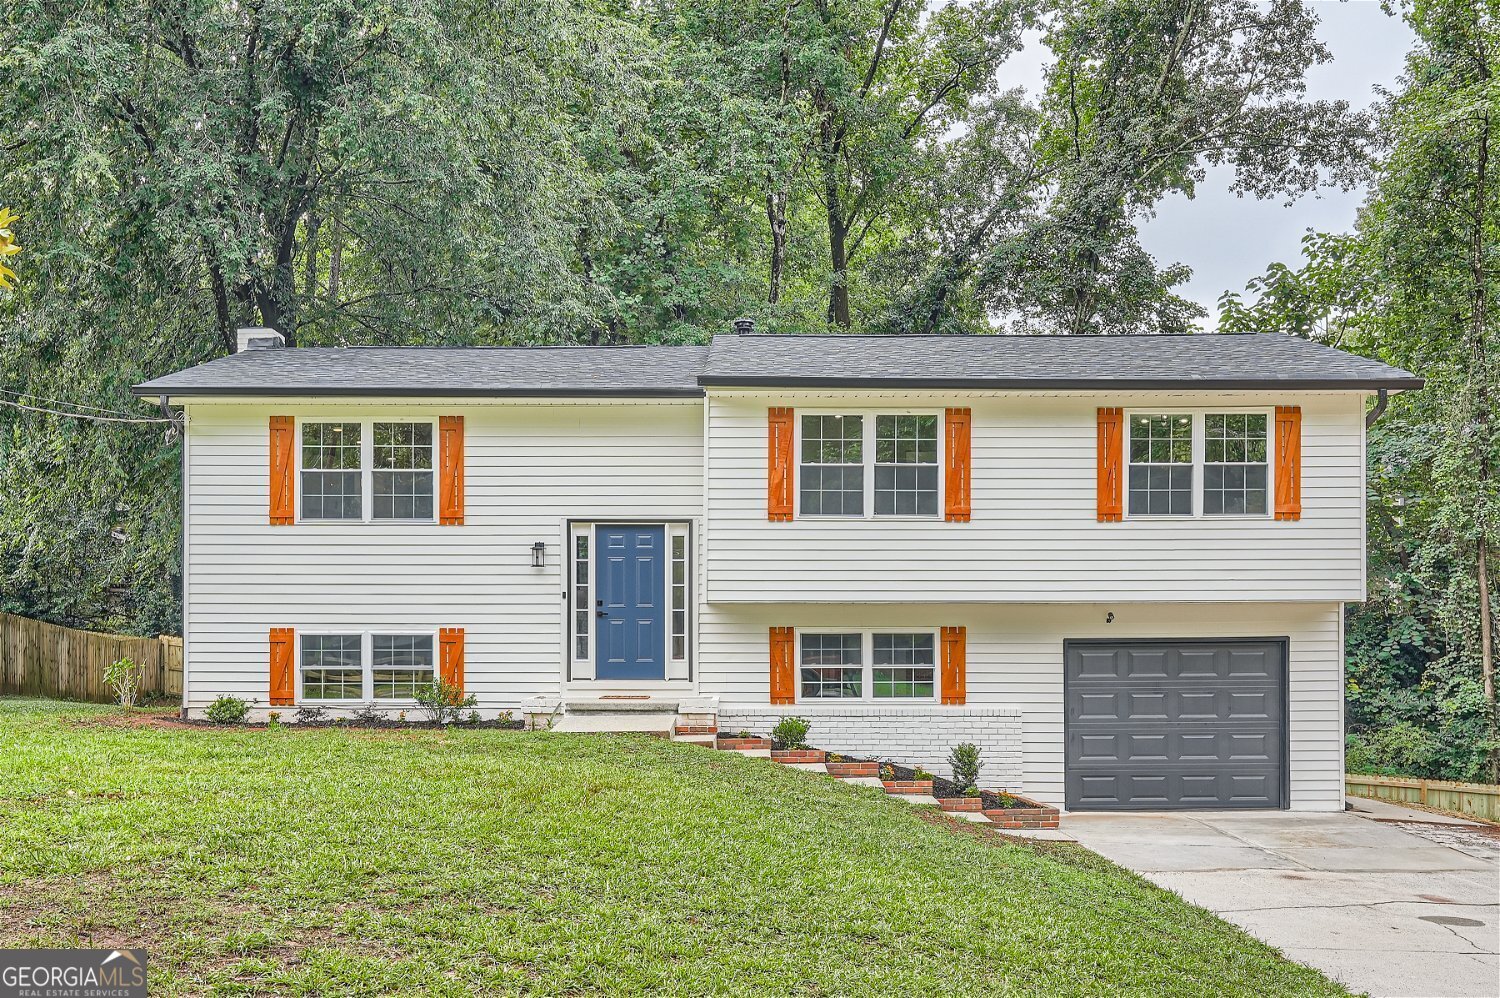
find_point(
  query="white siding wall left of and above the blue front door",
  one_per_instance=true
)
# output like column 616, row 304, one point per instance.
column 530, row 467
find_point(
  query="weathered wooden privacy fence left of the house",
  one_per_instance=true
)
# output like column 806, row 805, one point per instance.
column 41, row 660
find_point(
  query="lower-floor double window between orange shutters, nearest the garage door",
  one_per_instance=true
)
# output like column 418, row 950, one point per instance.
column 868, row 666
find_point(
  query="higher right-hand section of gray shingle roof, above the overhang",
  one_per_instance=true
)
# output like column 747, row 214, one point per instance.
column 1064, row 362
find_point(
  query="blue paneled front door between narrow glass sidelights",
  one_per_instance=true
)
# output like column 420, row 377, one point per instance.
column 631, row 640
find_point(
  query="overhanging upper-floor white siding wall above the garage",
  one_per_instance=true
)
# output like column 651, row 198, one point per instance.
column 1036, row 537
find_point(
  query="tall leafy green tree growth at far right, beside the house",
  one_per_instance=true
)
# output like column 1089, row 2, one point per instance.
column 1414, row 286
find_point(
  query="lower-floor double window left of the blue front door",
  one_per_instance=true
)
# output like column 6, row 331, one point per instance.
column 359, row 667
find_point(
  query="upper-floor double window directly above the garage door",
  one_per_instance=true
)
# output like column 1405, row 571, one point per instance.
column 1199, row 464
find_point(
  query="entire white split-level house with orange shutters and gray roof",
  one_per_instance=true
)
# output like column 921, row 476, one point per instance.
column 1118, row 565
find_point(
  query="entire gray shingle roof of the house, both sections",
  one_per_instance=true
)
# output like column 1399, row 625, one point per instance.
column 1271, row 361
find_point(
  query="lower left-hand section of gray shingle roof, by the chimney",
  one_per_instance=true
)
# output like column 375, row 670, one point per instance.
column 443, row 371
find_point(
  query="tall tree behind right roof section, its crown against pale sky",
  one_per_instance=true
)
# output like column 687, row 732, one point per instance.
column 1141, row 101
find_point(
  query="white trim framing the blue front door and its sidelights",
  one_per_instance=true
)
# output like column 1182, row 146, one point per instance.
column 584, row 669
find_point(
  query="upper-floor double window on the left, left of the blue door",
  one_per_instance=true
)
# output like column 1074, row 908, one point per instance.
column 368, row 470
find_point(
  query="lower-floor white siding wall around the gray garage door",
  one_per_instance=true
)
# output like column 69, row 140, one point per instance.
column 1015, row 660
